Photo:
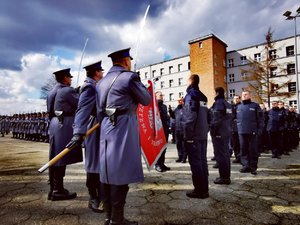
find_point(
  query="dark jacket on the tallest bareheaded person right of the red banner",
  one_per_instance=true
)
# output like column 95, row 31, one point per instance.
column 195, row 115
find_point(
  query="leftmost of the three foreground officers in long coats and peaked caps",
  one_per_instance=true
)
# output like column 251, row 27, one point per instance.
column 62, row 103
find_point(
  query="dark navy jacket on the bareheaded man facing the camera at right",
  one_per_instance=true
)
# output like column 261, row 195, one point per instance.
column 249, row 118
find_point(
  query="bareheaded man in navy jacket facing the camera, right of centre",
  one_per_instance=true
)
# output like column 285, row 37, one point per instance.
column 249, row 123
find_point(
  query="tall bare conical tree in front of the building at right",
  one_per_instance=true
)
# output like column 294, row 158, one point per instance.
column 262, row 74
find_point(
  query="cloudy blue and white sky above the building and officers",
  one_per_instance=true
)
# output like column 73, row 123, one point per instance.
column 39, row 37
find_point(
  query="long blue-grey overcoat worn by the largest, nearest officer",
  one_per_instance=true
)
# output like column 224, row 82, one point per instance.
column 120, row 150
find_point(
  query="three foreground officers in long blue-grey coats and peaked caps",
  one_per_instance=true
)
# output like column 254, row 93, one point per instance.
column 112, row 152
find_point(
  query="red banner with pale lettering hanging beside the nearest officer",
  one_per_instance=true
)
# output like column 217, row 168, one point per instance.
column 152, row 135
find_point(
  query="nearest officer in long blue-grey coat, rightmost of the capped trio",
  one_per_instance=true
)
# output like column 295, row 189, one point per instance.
column 118, row 95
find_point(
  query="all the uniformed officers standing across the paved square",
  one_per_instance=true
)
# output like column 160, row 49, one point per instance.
column 113, row 151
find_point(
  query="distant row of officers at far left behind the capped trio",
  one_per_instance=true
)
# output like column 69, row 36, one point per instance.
column 26, row 126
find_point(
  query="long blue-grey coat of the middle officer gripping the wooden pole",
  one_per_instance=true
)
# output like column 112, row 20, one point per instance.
column 85, row 119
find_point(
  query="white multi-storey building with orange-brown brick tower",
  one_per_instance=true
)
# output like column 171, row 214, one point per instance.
column 217, row 67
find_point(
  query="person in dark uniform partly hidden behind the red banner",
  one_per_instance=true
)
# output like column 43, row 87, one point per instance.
column 165, row 119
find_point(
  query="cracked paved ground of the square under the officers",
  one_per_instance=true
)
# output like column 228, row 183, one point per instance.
column 271, row 197
